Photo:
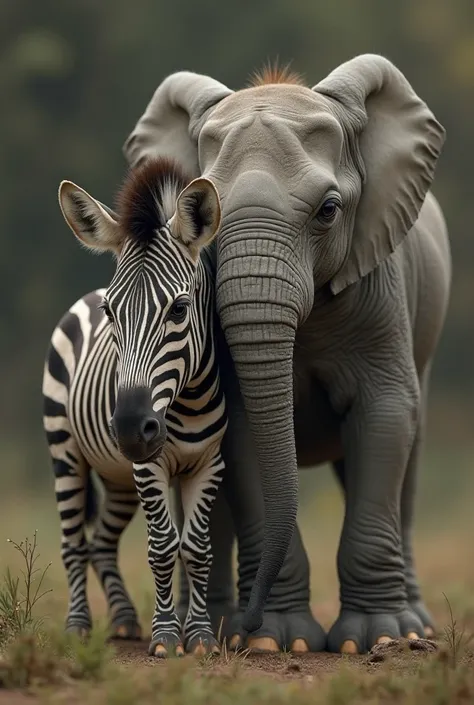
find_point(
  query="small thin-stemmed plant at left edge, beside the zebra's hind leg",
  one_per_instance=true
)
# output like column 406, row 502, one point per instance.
column 18, row 601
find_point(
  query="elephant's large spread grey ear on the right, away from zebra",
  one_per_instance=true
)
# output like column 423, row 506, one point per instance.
column 397, row 142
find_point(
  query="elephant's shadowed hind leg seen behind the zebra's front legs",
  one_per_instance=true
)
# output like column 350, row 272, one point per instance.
column 220, row 591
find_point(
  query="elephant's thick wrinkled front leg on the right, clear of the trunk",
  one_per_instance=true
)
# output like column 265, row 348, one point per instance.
column 377, row 437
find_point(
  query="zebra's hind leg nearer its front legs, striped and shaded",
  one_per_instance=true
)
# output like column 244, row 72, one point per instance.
column 117, row 511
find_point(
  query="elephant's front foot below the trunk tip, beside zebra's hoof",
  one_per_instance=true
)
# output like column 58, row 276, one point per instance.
column 297, row 632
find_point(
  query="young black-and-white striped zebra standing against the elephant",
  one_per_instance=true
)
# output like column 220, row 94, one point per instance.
column 132, row 390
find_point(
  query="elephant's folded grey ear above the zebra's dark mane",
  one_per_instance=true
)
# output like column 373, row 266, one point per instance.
column 172, row 121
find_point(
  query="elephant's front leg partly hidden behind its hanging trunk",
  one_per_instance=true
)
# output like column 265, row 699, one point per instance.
column 288, row 621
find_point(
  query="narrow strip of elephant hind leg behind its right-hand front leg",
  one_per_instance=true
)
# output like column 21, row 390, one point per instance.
column 407, row 507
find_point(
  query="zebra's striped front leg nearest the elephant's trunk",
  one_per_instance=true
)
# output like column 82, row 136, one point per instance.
column 198, row 492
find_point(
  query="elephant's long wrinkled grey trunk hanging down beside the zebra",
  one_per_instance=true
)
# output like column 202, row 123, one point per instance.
column 260, row 331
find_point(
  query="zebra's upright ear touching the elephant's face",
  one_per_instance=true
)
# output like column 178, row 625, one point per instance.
column 198, row 215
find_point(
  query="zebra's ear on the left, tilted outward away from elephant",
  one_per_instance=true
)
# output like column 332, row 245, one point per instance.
column 94, row 225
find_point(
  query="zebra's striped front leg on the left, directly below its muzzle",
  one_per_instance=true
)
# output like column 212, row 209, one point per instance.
column 152, row 484
